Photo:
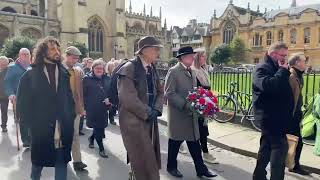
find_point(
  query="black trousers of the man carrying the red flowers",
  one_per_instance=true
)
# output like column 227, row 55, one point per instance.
column 195, row 151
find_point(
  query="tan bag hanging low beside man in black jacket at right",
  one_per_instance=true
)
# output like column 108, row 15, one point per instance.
column 292, row 146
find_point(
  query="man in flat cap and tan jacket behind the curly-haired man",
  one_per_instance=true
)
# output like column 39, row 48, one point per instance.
column 76, row 75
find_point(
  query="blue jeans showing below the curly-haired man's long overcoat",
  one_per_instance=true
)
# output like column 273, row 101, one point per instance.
column 60, row 168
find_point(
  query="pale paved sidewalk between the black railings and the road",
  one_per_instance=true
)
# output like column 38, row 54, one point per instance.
column 245, row 141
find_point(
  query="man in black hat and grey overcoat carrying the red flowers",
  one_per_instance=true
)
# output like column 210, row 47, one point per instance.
column 182, row 125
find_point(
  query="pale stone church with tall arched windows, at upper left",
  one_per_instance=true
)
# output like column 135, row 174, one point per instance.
column 106, row 27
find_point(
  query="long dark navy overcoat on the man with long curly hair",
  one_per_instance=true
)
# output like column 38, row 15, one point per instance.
column 41, row 106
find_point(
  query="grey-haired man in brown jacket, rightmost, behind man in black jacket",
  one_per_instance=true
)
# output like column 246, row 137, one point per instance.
column 298, row 65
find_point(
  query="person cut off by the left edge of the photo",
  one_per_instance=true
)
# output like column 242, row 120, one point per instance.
column 4, row 101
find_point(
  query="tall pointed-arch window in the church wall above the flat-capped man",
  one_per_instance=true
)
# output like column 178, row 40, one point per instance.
column 95, row 36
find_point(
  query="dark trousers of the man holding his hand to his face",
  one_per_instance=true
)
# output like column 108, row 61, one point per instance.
column 272, row 149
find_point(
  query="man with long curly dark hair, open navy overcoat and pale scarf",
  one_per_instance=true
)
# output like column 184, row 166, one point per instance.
column 45, row 102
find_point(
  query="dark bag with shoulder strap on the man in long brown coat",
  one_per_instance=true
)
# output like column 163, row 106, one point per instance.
column 113, row 91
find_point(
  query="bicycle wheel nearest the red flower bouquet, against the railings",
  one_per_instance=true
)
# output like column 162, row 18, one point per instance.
column 227, row 107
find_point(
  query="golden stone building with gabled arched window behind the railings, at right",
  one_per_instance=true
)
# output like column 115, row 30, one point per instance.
column 297, row 26
